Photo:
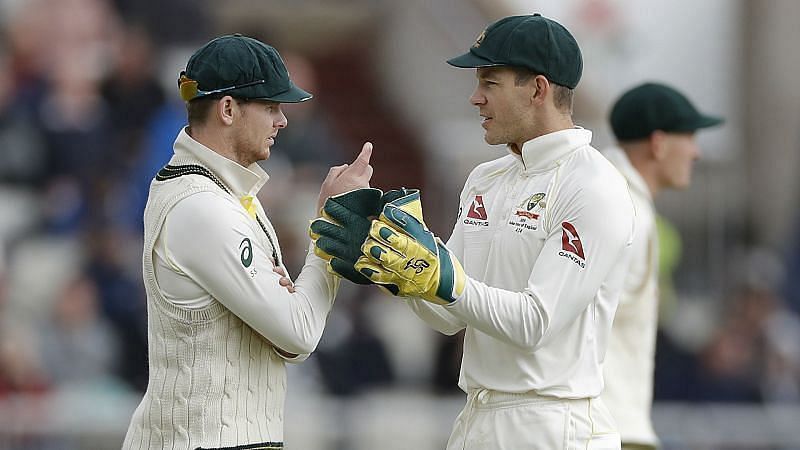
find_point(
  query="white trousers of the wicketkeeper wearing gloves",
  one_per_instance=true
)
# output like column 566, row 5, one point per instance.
column 494, row 420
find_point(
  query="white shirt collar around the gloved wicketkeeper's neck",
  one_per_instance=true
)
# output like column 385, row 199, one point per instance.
column 543, row 152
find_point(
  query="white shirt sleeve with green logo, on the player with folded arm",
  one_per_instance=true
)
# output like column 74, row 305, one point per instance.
column 234, row 266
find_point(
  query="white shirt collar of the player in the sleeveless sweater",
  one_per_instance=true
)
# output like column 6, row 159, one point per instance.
column 240, row 180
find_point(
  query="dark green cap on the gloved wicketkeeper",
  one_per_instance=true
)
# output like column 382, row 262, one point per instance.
column 533, row 42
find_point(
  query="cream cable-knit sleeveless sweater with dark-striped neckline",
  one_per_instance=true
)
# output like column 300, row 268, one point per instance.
column 208, row 368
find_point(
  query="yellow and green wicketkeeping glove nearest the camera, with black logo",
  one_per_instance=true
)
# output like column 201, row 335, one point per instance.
column 401, row 251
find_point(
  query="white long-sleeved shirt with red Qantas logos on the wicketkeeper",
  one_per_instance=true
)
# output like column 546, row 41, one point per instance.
column 544, row 239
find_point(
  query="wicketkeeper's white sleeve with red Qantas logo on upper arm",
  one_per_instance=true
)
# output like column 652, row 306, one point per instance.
column 586, row 239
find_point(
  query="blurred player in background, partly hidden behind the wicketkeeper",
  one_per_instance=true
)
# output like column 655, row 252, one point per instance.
column 655, row 129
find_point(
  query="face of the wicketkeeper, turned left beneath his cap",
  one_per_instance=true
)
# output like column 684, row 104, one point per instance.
column 503, row 106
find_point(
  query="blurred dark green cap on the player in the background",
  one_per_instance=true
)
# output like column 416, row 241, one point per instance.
column 653, row 106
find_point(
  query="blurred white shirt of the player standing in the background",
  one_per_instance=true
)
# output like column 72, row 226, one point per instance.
column 630, row 359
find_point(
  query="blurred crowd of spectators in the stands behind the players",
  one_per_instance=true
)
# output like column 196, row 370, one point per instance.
column 89, row 110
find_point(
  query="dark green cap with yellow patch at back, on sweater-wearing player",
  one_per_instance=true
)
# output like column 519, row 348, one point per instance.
column 241, row 67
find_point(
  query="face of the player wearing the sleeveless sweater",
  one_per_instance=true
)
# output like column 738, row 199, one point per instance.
column 257, row 129
